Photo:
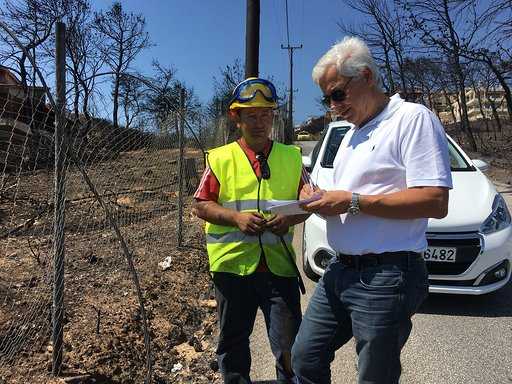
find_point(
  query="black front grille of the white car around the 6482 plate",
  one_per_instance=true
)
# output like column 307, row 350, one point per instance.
column 468, row 248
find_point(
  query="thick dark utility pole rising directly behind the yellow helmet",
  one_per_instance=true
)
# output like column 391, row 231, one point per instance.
column 252, row 38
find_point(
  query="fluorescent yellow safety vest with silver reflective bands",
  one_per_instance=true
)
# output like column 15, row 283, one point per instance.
column 230, row 250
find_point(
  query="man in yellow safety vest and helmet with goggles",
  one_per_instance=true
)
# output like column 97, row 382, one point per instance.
column 250, row 252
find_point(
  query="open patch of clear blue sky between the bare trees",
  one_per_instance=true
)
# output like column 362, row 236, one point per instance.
column 200, row 37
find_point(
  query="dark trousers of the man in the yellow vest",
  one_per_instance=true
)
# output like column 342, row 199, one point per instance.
column 238, row 299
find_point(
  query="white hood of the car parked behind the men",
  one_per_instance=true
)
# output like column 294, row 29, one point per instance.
column 469, row 205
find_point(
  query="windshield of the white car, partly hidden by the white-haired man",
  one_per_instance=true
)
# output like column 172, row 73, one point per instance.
column 457, row 161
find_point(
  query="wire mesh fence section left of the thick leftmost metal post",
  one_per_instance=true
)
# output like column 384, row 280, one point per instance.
column 25, row 225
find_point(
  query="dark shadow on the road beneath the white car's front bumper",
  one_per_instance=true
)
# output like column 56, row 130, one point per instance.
column 496, row 304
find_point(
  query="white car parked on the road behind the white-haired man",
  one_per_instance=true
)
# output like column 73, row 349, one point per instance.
column 469, row 251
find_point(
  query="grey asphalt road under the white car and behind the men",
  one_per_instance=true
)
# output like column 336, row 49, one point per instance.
column 455, row 339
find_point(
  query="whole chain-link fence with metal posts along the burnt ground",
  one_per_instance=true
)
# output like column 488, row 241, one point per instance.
column 136, row 302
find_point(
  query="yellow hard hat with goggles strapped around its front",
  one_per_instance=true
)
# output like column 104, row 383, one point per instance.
column 254, row 92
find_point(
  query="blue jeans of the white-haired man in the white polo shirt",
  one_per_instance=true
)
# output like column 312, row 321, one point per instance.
column 373, row 304
